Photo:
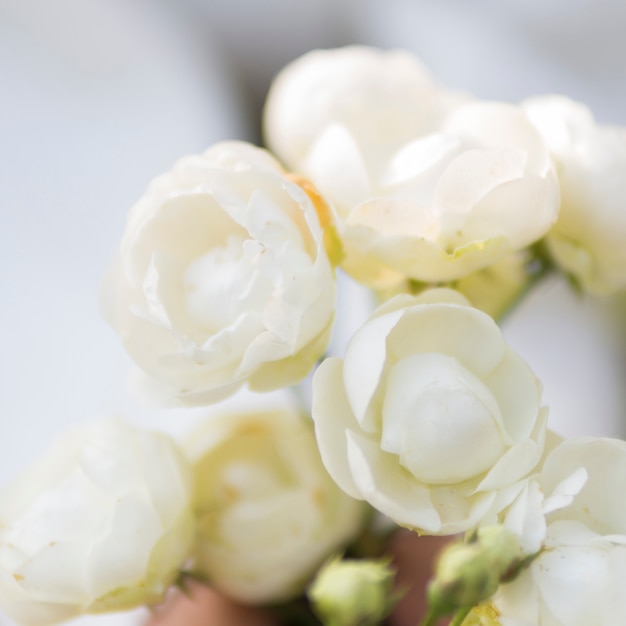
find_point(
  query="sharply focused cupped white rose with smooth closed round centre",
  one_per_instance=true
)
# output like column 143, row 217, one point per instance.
column 430, row 417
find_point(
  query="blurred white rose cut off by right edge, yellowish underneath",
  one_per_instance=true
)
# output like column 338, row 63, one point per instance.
column 588, row 239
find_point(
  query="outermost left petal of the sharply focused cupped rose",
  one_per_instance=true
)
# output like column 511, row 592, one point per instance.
column 333, row 420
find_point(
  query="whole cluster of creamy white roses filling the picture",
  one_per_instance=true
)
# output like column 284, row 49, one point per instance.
column 225, row 278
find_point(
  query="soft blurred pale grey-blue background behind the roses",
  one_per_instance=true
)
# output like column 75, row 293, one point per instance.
column 99, row 96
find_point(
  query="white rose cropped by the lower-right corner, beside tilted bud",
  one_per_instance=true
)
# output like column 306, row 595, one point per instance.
column 579, row 579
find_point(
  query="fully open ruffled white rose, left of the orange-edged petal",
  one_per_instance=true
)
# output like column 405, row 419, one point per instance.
column 222, row 278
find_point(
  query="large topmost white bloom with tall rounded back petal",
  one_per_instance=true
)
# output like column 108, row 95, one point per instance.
column 430, row 187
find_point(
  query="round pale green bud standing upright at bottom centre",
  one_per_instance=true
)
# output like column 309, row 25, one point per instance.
column 353, row 592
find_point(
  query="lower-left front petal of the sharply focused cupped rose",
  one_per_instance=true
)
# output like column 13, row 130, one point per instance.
column 389, row 488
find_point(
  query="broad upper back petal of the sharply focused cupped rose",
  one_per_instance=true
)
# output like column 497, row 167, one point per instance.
column 464, row 333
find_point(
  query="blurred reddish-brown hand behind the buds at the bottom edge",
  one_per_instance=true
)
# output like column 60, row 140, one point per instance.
column 414, row 557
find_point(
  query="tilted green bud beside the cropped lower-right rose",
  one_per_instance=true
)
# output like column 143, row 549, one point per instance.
column 470, row 573
